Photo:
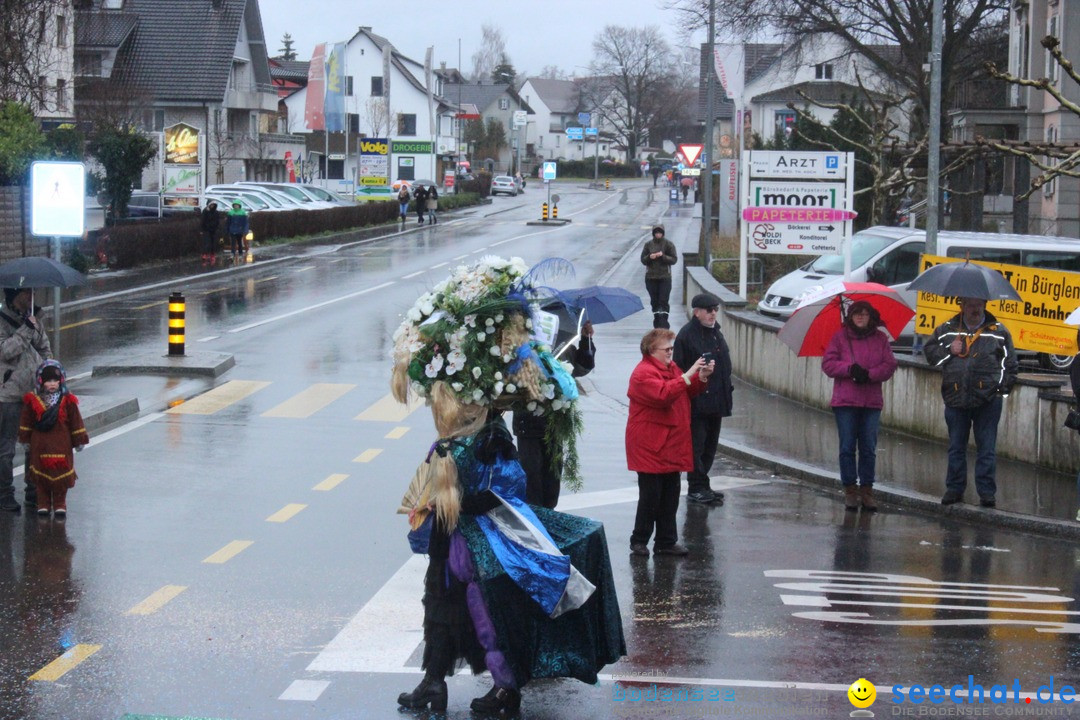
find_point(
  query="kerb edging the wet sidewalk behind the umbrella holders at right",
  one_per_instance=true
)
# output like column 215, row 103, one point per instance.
column 908, row 499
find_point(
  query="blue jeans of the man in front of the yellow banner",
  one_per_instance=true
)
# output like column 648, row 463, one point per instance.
column 984, row 422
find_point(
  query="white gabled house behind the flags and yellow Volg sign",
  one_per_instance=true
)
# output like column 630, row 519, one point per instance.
column 386, row 97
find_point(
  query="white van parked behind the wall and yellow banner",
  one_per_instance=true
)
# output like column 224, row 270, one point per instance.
column 890, row 256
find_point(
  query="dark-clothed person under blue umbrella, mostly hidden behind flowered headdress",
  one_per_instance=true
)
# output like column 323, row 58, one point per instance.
column 543, row 479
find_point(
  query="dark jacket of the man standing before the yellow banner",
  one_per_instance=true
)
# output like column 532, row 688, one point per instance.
column 988, row 369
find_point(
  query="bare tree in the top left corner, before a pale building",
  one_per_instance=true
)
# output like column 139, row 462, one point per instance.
column 34, row 37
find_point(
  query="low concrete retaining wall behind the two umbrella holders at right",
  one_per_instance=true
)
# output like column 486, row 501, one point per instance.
column 1032, row 426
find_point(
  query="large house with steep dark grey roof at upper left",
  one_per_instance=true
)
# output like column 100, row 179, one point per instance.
column 200, row 63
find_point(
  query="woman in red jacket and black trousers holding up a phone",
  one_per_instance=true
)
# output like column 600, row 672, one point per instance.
column 658, row 439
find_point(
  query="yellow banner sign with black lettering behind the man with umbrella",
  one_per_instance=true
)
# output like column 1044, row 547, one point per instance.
column 1036, row 321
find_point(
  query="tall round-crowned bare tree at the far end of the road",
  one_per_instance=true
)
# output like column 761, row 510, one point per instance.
column 633, row 71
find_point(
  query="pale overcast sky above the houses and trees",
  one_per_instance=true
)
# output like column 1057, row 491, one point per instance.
column 538, row 33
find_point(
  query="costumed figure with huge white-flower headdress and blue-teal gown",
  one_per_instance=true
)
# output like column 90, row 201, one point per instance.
column 522, row 592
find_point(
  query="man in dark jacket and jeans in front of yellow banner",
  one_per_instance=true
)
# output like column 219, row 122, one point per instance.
column 979, row 366
